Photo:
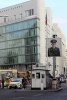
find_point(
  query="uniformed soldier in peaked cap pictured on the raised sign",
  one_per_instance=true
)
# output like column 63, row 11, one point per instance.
column 53, row 51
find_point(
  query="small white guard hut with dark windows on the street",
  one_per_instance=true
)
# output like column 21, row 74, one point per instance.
column 39, row 77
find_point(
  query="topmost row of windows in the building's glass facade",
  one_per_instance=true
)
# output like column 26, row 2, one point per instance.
column 19, row 26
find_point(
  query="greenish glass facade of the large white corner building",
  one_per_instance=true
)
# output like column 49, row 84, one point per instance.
column 19, row 42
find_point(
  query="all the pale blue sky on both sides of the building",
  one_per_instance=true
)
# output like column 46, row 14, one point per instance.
column 58, row 7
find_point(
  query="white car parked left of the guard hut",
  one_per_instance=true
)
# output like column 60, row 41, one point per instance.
column 15, row 83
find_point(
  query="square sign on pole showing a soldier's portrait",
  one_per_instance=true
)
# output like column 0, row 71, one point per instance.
column 53, row 47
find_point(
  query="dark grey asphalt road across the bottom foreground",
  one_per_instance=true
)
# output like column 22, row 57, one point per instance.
column 13, row 94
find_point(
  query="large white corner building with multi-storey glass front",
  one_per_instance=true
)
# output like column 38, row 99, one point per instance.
column 22, row 35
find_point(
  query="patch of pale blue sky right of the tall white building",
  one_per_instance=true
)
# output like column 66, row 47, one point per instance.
column 59, row 13
